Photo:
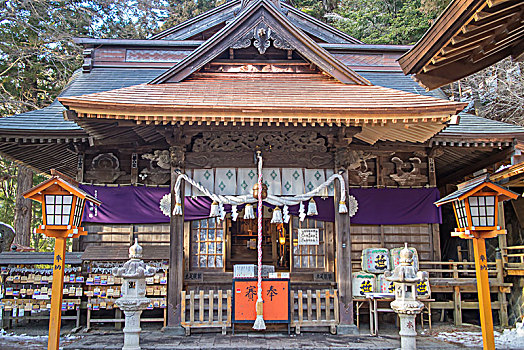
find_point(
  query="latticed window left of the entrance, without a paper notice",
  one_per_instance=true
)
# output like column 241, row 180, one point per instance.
column 207, row 244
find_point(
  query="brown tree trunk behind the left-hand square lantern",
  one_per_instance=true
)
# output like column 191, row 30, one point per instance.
column 23, row 207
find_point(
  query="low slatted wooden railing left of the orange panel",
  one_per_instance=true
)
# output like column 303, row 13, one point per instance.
column 206, row 310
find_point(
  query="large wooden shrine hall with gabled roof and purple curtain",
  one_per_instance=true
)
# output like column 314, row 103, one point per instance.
column 165, row 131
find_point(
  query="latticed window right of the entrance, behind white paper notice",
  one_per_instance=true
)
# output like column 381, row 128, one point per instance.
column 312, row 256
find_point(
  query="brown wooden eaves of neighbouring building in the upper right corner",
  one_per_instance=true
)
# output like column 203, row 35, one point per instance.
column 469, row 35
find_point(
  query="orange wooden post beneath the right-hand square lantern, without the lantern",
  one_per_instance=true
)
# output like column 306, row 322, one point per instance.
column 486, row 317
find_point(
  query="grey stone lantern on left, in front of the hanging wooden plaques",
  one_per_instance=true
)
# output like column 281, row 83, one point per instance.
column 133, row 300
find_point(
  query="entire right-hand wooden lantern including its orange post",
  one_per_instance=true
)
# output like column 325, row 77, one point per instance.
column 476, row 209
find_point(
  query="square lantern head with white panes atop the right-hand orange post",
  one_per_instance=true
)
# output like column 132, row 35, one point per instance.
column 476, row 205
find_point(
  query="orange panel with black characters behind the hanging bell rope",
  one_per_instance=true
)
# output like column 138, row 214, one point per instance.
column 275, row 293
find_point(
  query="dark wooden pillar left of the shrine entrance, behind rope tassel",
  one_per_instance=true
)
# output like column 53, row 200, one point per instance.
column 176, row 249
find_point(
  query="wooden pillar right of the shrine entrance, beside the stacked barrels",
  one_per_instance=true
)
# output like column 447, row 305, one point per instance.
column 343, row 253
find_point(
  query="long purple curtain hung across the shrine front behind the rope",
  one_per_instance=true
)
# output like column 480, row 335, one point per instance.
column 141, row 205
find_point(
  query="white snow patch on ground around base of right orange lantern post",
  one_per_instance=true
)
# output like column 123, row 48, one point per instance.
column 509, row 339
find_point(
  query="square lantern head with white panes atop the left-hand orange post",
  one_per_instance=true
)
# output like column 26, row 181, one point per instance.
column 62, row 205
